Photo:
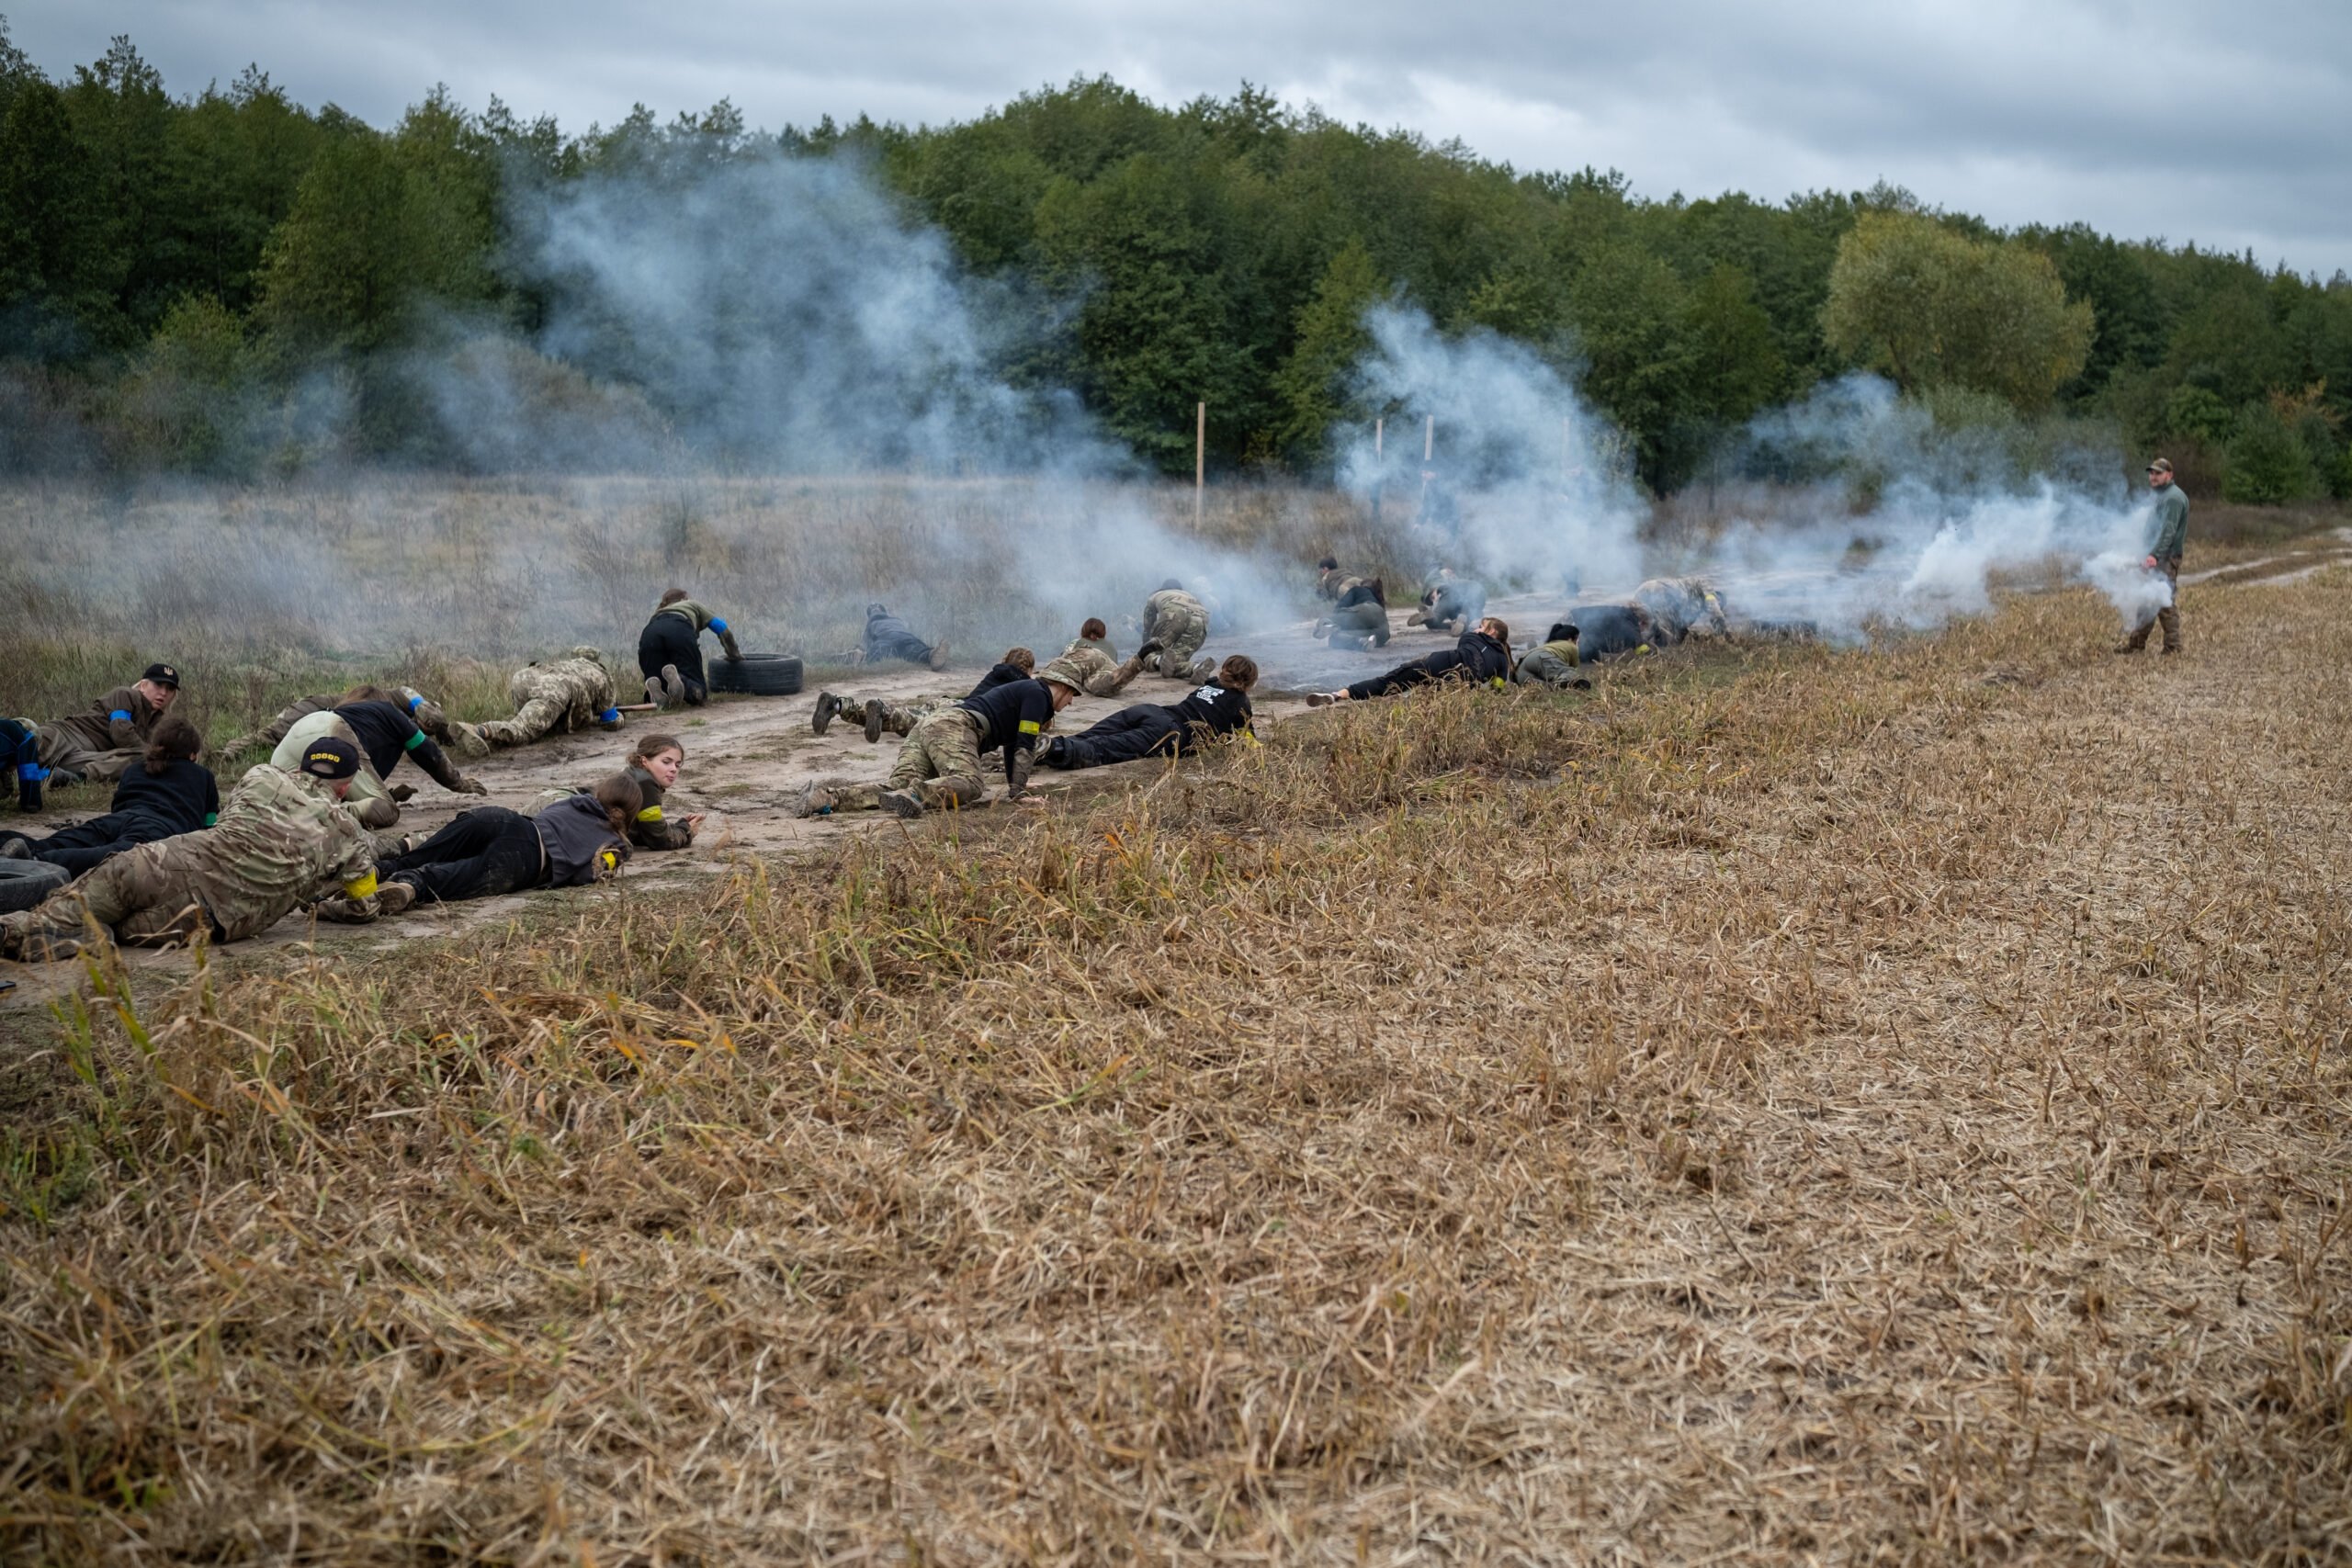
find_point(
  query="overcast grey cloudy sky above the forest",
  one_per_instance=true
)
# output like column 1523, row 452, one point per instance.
column 2186, row 121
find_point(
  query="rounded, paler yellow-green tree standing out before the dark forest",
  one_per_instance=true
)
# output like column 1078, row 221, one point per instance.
column 1932, row 307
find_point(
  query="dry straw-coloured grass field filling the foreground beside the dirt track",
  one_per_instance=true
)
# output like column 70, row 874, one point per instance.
column 1876, row 1106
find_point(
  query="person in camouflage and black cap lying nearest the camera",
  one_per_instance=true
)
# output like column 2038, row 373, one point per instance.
column 283, row 840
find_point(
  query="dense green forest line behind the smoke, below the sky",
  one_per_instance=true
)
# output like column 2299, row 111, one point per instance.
column 182, row 272
